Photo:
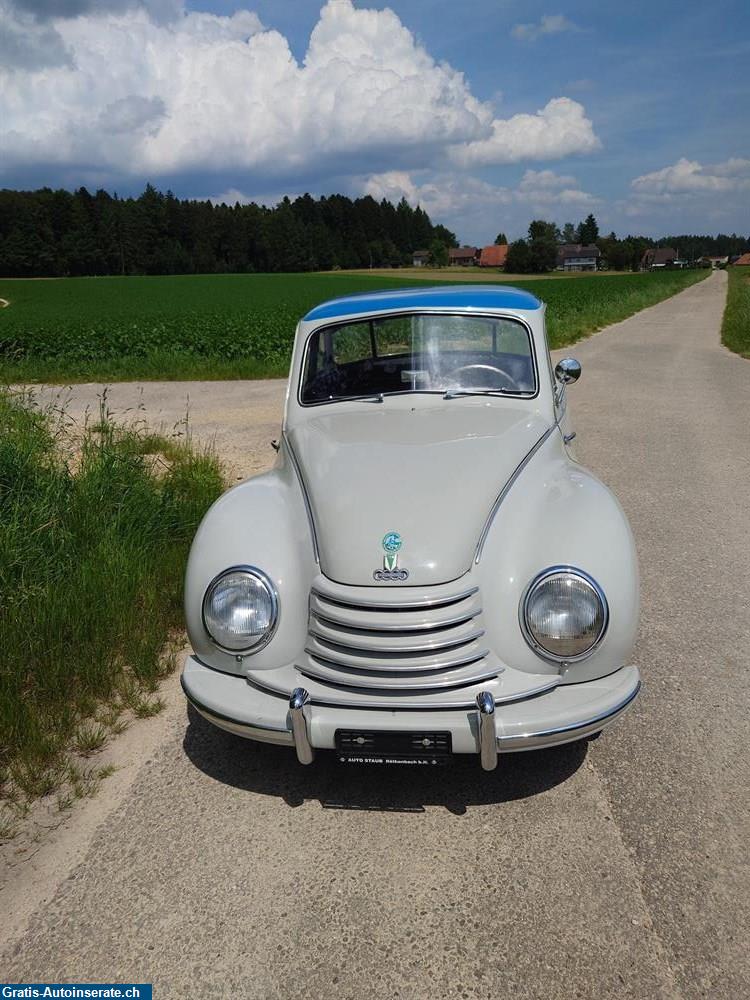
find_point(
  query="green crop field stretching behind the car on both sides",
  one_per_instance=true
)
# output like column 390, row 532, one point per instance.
column 239, row 326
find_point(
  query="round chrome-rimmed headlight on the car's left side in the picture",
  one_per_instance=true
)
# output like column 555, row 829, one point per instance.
column 240, row 609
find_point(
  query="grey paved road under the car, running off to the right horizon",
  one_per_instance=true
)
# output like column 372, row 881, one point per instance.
column 617, row 870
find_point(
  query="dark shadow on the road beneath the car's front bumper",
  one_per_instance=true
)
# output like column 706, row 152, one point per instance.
column 272, row 770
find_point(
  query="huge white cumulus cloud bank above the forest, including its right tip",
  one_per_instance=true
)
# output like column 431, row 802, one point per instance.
column 146, row 88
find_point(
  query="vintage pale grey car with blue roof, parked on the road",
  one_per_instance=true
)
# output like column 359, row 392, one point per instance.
column 427, row 570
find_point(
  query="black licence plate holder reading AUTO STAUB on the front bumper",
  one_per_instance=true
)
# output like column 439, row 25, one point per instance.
column 373, row 746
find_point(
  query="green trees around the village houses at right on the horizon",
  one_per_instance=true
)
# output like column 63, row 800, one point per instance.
column 538, row 253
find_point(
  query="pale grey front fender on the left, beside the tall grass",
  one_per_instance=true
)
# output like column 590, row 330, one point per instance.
column 262, row 522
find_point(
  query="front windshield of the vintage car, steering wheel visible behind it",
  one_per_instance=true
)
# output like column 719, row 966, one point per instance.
column 427, row 352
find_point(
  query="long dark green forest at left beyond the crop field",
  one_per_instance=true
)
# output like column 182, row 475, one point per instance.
column 48, row 233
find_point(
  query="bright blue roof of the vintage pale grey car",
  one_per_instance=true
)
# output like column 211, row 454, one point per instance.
column 489, row 297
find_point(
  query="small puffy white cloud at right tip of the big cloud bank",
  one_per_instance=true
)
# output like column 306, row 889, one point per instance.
column 559, row 129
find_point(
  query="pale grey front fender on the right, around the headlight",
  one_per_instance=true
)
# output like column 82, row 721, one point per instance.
column 558, row 513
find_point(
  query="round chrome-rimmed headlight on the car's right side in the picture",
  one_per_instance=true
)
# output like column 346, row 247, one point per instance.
column 564, row 614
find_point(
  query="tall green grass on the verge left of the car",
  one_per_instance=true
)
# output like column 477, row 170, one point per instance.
column 95, row 525
